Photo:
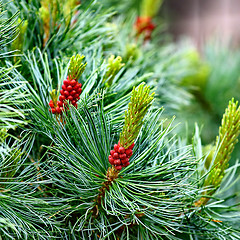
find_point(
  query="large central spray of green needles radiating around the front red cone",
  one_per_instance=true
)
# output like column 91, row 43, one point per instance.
column 138, row 195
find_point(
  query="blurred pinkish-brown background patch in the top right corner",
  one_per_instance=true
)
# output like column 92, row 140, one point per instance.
column 202, row 19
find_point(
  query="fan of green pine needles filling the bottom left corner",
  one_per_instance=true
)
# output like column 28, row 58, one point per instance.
column 23, row 212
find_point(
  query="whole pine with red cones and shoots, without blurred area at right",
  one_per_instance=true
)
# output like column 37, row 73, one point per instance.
column 85, row 149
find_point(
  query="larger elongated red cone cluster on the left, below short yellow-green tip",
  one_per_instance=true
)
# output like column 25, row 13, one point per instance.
column 70, row 91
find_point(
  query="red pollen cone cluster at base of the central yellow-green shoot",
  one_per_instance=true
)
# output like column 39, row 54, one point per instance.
column 120, row 156
